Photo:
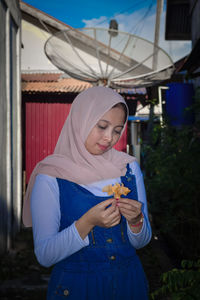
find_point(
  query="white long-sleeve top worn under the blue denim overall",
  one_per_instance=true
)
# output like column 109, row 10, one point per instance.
column 50, row 245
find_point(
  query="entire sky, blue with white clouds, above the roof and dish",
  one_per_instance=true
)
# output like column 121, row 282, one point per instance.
column 133, row 16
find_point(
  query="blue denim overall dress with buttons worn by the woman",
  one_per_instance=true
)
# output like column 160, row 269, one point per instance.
column 108, row 268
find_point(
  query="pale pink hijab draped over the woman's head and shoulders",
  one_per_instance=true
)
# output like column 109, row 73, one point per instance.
column 70, row 159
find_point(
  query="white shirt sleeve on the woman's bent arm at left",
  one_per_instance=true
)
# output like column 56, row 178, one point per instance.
column 50, row 245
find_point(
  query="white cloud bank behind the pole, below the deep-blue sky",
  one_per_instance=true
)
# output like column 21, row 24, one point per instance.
column 142, row 23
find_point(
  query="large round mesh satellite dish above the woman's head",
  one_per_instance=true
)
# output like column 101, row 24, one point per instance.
column 108, row 57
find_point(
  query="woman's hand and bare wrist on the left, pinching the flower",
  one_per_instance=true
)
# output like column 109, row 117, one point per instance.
column 105, row 214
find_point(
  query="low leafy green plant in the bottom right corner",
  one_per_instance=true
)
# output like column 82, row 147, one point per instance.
column 180, row 284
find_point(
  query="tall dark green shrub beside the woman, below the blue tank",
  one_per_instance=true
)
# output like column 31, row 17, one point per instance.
column 172, row 176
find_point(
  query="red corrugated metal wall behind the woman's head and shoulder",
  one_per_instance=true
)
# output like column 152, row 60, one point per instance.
column 44, row 122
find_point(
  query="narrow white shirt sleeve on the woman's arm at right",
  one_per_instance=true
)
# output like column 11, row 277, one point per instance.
column 139, row 240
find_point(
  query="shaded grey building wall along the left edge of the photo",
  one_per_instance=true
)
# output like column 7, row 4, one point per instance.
column 10, row 123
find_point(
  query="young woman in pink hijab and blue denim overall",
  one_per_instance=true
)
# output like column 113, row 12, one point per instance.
column 90, row 237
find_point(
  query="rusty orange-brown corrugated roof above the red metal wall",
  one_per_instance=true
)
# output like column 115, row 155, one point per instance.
column 52, row 83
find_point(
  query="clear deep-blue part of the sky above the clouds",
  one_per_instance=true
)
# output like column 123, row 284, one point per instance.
column 73, row 12
